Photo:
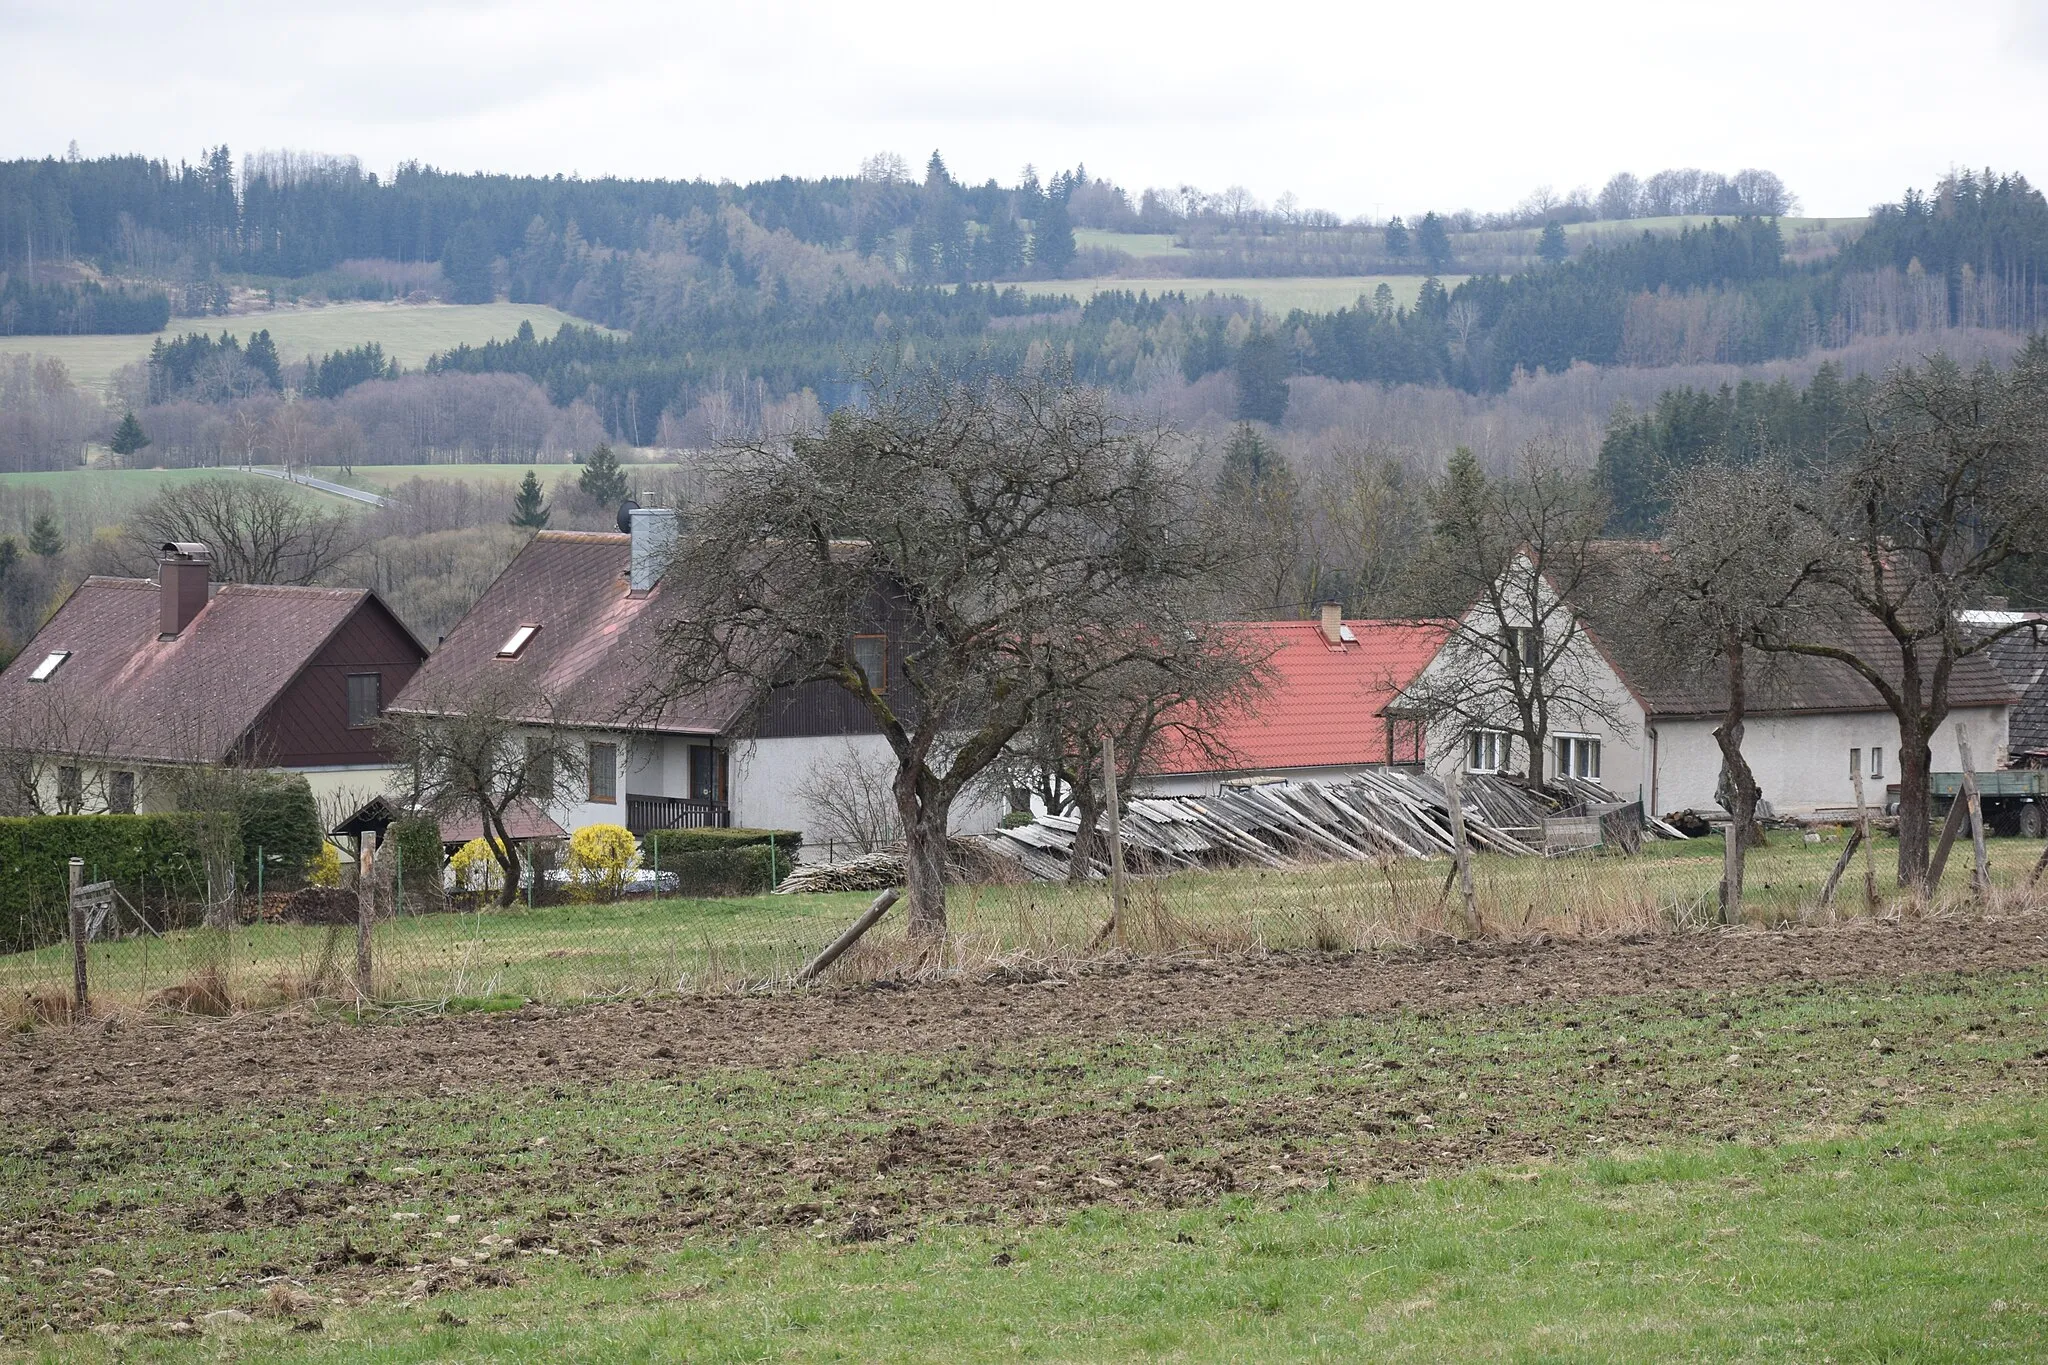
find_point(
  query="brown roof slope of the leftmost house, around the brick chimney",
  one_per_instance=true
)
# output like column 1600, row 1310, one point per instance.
column 185, row 701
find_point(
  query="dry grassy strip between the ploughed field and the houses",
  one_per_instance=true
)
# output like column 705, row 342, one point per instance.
column 648, row 946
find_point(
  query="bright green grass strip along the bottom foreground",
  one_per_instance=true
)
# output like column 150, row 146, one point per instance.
column 1920, row 1241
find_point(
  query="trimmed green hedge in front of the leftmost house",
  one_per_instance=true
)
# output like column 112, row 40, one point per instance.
column 153, row 858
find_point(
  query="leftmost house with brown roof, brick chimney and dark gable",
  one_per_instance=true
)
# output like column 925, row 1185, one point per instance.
column 138, row 676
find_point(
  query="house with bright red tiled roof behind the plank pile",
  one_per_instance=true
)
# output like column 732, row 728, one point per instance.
column 1322, row 715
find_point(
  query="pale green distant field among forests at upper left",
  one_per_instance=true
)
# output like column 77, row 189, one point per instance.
column 407, row 331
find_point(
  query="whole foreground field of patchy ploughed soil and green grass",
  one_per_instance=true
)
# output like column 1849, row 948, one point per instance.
column 1832, row 1170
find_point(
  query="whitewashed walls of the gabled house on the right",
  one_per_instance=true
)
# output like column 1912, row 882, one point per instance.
column 1631, row 728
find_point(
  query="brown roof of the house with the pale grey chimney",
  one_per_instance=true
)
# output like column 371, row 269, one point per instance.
column 593, row 654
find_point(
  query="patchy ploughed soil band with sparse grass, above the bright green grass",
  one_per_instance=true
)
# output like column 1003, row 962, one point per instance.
column 140, row 1219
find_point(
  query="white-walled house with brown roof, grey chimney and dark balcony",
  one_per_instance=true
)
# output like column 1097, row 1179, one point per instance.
column 577, row 621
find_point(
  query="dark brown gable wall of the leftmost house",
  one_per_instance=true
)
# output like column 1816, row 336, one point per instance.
column 308, row 723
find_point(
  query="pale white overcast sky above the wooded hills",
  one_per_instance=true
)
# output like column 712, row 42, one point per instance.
column 1353, row 107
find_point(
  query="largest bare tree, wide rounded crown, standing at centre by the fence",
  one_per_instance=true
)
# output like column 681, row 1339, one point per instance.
column 1011, row 537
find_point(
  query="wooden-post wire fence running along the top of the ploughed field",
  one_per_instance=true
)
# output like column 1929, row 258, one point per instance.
column 460, row 953
